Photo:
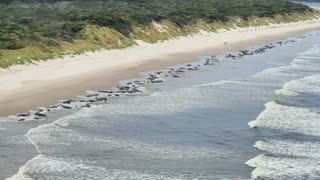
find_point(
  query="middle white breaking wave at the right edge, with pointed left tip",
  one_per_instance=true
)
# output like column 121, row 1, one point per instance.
column 293, row 119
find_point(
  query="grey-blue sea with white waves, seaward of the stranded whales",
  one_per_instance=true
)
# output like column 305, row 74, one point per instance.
column 249, row 118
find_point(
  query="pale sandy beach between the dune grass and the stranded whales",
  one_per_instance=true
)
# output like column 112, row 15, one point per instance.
column 26, row 87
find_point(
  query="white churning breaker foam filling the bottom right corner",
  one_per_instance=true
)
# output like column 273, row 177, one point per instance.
column 291, row 160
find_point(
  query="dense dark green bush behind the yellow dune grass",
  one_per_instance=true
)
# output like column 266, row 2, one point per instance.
column 22, row 21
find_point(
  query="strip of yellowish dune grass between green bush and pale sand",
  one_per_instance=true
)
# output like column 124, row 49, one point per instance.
column 97, row 38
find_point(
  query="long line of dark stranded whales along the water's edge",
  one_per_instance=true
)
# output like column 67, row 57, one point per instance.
column 137, row 86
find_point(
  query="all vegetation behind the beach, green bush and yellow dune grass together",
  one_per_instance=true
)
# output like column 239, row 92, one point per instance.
column 33, row 30
